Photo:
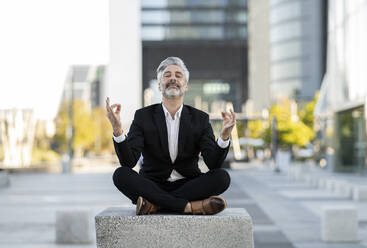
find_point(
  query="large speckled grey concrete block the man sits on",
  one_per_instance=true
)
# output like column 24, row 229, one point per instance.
column 121, row 227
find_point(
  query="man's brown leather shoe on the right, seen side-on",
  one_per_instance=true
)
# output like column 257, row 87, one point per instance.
column 208, row 206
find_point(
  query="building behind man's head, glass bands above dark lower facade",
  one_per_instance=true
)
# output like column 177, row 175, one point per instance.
column 210, row 36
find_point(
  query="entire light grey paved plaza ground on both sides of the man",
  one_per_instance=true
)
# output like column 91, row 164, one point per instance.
column 285, row 214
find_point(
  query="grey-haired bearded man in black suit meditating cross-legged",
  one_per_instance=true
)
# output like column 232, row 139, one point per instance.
column 170, row 136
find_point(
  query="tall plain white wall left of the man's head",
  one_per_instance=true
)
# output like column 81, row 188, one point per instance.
column 124, row 80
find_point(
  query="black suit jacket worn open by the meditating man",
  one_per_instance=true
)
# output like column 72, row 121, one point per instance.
column 148, row 135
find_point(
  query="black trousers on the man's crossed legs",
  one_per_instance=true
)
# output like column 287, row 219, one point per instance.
column 171, row 196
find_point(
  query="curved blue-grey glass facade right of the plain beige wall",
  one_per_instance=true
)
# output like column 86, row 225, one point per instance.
column 296, row 48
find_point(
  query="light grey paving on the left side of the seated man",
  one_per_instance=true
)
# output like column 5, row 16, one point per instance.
column 28, row 207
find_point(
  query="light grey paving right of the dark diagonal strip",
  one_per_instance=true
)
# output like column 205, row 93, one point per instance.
column 295, row 209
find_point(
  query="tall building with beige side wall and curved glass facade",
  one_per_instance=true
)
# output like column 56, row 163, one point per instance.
column 286, row 49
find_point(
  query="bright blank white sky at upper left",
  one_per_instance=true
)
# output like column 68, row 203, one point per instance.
column 39, row 41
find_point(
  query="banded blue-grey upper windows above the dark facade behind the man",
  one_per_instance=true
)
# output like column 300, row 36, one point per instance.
column 193, row 20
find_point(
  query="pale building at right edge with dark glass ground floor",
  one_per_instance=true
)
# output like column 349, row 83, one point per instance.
column 341, row 108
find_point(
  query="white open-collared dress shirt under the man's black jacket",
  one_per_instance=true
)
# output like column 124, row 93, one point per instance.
column 173, row 126
